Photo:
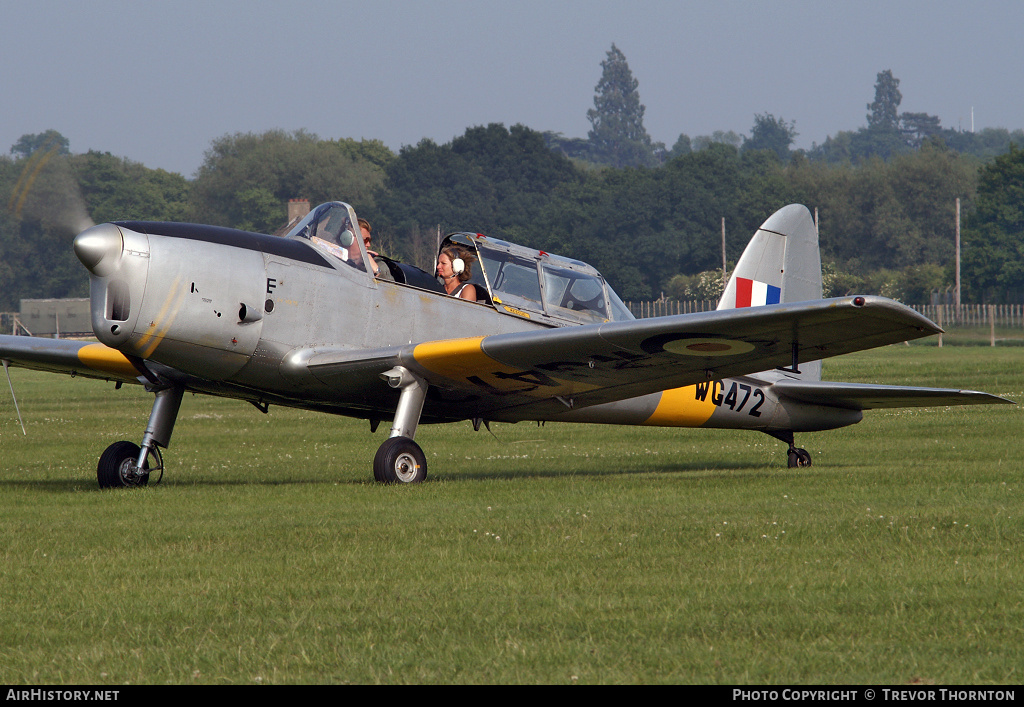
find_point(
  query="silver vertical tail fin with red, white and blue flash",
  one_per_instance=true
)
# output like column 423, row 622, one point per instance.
column 781, row 265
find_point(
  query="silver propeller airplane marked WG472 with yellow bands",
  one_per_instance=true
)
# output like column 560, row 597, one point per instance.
column 301, row 321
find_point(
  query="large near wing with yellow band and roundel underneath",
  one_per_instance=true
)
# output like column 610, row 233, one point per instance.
column 526, row 375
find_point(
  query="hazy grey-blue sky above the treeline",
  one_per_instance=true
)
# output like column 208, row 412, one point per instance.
column 157, row 82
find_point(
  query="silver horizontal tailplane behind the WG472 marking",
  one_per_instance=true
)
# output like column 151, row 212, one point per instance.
column 865, row 397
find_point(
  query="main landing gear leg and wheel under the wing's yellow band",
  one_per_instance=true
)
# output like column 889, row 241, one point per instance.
column 400, row 460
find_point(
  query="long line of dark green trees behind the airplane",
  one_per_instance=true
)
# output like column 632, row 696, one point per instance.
column 887, row 225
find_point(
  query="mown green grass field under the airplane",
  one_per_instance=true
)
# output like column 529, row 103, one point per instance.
column 554, row 555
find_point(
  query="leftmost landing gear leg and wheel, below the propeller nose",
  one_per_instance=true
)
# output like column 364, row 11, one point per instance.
column 127, row 465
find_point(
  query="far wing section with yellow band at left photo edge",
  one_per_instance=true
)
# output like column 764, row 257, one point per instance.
column 88, row 359
